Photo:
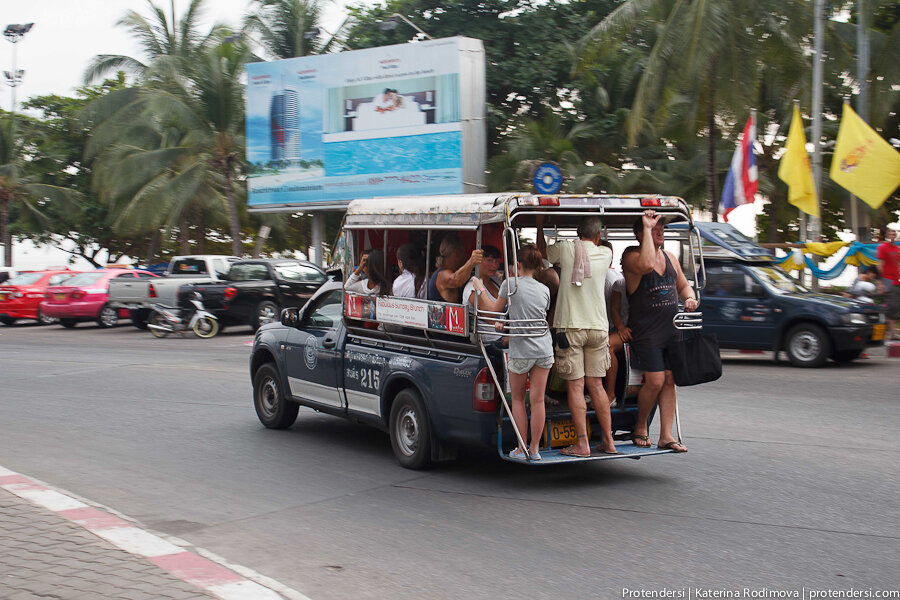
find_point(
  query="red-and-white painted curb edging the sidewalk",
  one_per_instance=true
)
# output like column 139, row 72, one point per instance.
column 209, row 576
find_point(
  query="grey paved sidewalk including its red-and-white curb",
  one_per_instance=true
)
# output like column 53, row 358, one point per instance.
column 53, row 546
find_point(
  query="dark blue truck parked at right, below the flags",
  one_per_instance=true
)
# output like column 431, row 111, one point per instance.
column 751, row 304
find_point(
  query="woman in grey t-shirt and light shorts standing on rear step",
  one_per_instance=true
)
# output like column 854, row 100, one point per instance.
column 530, row 350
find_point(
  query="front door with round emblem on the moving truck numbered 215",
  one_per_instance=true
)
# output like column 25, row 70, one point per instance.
column 314, row 360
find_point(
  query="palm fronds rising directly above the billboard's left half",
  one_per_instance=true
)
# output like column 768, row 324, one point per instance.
column 281, row 25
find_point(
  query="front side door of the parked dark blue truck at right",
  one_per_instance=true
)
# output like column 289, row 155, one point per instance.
column 737, row 308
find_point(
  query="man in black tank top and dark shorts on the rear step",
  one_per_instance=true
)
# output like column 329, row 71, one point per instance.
column 654, row 283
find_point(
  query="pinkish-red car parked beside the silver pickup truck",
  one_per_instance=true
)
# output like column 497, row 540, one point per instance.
column 84, row 297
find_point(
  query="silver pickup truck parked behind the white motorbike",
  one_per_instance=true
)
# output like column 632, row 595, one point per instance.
column 138, row 295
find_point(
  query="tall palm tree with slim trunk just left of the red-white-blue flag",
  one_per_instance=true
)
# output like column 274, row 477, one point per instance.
column 712, row 53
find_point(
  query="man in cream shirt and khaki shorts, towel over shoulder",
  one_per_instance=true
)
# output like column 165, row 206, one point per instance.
column 582, row 356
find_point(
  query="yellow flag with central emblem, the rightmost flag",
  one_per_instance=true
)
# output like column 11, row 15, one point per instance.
column 863, row 163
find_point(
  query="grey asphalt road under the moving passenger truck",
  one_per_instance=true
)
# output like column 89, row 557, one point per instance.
column 792, row 479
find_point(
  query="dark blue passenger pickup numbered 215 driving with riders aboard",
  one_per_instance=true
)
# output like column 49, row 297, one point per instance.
column 419, row 369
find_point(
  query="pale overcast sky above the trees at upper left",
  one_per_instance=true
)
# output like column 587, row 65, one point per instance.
column 68, row 33
